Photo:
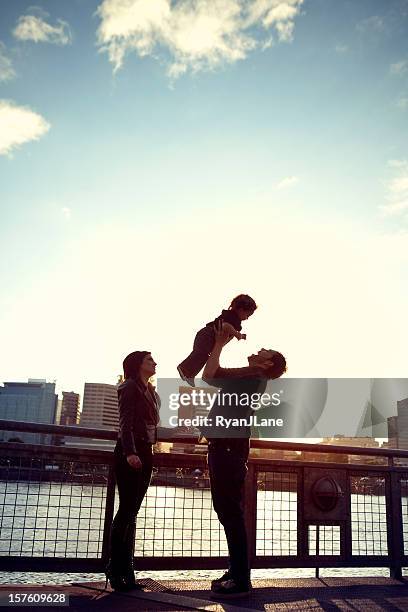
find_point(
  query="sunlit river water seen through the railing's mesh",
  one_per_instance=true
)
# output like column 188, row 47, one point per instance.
column 57, row 519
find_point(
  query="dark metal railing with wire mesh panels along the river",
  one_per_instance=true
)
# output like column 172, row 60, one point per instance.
column 322, row 507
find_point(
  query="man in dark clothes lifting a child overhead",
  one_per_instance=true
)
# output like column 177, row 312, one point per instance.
column 228, row 451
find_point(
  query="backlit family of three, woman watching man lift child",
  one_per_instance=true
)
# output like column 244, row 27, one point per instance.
column 228, row 450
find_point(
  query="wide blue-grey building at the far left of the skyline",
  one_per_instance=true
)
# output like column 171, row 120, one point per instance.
column 34, row 401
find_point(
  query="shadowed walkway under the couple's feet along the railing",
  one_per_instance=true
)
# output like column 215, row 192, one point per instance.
column 300, row 594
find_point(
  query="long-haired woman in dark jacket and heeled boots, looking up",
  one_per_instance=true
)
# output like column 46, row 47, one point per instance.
column 138, row 419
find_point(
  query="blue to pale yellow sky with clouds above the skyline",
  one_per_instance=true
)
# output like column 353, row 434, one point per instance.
column 157, row 158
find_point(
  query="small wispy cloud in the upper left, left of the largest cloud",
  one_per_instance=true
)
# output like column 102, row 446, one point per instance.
column 36, row 29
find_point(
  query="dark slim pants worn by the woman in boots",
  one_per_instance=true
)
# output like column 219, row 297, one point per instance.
column 132, row 486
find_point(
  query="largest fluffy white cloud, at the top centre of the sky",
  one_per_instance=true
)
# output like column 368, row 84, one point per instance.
column 193, row 35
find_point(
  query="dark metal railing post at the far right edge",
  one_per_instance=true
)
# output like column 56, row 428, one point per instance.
column 394, row 524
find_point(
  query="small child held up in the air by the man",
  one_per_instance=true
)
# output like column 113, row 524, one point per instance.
column 241, row 308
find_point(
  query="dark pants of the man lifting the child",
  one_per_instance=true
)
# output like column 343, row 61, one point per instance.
column 227, row 463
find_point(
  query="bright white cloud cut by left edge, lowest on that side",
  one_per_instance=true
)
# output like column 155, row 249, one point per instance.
column 18, row 125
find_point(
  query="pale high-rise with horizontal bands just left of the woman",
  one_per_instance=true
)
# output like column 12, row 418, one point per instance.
column 100, row 406
